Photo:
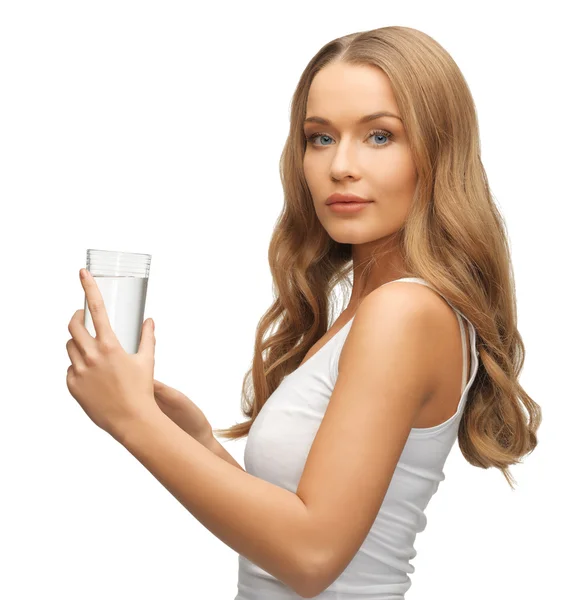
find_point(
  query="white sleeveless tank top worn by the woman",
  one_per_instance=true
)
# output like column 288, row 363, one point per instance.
column 276, row 450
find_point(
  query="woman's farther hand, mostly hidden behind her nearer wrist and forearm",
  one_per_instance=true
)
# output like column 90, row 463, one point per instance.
column 183, row 412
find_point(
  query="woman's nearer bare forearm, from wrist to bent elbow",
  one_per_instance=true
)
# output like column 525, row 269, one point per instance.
column 267, row 524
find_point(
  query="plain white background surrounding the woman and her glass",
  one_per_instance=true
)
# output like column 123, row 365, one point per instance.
column 157, row 127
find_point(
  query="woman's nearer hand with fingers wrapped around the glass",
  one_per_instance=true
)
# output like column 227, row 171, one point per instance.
column 113, row 387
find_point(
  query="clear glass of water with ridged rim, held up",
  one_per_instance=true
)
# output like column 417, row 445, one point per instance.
column 122, row 279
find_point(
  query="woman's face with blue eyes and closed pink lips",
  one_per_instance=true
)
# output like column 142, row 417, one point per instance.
column 371, row 160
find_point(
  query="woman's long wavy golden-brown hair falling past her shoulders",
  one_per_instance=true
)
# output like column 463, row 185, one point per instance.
column 454, row 237
